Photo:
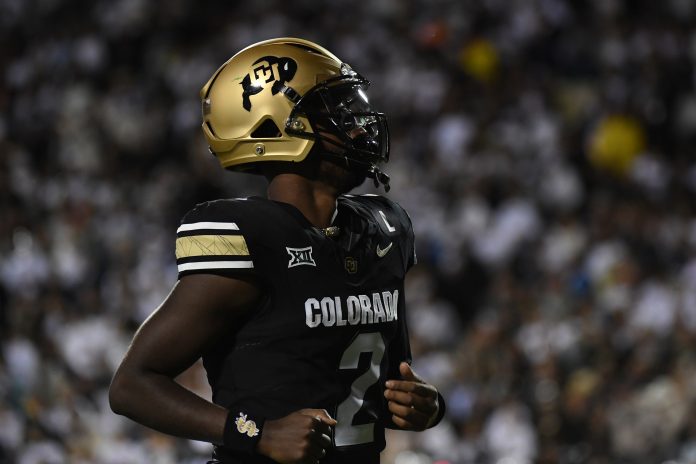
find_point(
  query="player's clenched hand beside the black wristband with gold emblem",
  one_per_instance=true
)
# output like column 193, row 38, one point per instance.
column 298, row 438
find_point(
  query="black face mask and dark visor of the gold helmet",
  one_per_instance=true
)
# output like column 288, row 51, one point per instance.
column 341, row 116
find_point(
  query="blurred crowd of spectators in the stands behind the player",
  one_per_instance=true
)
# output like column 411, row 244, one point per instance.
column 546, row 152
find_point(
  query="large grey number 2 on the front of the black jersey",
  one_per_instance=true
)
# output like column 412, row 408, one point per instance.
column 346, row 433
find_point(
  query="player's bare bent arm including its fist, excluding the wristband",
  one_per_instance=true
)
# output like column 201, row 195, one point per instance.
column 200, row 310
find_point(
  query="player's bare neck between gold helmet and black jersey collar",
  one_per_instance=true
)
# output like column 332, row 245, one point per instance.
column 315, row 200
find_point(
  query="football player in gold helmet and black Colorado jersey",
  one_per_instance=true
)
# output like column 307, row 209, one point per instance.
column 295, row 302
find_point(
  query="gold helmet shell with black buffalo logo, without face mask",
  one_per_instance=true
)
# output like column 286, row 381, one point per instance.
column 246, row 103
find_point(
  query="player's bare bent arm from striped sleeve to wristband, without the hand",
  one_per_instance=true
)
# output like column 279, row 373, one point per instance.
column 200, row 310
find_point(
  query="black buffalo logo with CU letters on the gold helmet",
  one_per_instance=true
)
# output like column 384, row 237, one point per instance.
column 265, row 70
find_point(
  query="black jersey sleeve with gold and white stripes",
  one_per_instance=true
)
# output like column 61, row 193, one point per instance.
column 211, row 241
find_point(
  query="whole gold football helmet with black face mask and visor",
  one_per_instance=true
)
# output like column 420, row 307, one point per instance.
column 275, row 99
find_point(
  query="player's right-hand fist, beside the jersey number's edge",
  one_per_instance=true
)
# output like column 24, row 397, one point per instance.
column 412, row 402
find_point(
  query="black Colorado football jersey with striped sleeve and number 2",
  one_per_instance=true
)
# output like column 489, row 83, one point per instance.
column 331, row 328
